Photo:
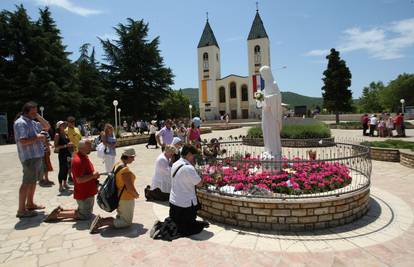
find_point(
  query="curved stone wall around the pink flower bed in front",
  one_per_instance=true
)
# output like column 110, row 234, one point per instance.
column 278, row 214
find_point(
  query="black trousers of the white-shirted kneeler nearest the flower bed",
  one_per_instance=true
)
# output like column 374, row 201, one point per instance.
column 185, row 219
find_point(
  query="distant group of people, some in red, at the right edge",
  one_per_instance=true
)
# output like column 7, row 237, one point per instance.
column 383, row 125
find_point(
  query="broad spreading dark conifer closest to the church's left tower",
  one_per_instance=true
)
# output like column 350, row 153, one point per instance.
column 135, row 68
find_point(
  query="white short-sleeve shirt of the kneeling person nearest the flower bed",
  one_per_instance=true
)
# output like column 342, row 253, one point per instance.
column 183, row 184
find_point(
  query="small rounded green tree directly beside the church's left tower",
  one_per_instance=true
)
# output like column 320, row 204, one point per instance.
column 175, row 105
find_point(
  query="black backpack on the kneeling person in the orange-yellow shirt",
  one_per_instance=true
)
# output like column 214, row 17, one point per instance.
column 108, row 198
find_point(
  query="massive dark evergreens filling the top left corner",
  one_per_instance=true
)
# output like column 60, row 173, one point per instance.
column 34, row 65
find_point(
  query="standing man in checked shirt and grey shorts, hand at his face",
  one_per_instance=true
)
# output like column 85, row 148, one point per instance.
column 30, row 147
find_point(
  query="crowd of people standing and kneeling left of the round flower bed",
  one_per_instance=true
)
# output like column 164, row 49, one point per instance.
column 174, row 180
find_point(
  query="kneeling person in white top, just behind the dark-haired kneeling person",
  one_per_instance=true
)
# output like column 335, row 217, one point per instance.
column 161, row 181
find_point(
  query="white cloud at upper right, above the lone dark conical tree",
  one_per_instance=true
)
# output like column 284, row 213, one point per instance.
column 385, row 43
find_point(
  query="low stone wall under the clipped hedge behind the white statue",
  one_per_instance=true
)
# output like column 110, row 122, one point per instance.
column 293, row 142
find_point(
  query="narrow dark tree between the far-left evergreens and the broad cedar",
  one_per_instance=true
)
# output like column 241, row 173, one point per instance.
column 93, row 105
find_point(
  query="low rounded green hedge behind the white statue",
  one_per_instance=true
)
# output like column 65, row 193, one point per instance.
column 316, row 130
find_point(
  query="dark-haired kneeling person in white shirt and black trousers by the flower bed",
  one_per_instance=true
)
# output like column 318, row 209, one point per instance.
column 183, row 199
